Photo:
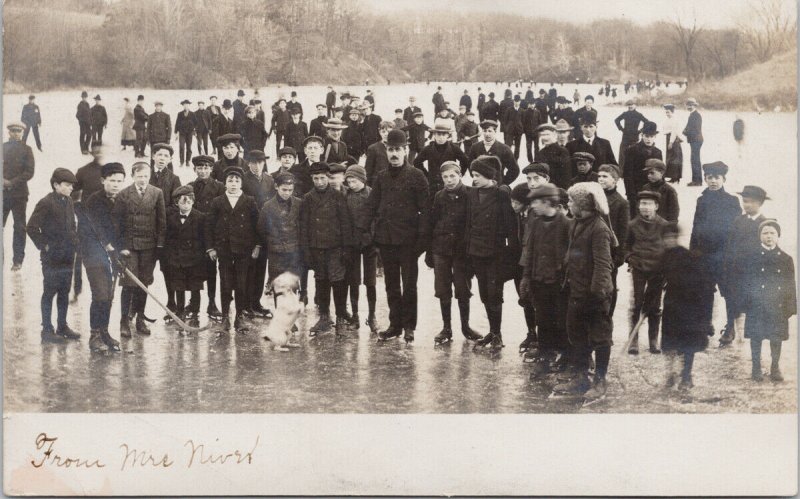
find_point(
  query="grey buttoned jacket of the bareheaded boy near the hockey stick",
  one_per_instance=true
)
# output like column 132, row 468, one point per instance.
column 141, row 222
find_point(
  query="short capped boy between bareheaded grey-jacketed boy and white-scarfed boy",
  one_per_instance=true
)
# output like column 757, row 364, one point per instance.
column 186, row 253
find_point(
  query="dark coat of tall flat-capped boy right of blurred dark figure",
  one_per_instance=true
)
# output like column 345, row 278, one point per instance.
column 713, row 219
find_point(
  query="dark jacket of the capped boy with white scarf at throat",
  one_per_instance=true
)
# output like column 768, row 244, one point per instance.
column 232, row 230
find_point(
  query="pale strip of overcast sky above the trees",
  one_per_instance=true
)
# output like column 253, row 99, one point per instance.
column 710, row 13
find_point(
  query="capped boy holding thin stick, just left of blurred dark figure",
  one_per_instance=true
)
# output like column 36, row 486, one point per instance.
column 646, row 249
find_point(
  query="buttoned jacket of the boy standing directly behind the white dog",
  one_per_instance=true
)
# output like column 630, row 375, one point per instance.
column 279, row 225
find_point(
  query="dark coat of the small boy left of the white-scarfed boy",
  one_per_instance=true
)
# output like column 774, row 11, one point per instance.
column 186, row 242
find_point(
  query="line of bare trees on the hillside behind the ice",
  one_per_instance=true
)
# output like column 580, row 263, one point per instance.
column 211, row 43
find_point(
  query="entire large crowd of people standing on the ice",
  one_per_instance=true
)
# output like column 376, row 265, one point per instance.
column 356, row 196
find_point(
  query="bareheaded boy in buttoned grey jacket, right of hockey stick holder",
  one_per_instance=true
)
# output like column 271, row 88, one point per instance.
column 140, row 219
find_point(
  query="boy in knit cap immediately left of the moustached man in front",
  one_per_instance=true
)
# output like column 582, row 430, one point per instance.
column 357, row 194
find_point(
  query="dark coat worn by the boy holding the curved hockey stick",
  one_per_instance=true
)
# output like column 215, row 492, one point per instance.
column 96, row 229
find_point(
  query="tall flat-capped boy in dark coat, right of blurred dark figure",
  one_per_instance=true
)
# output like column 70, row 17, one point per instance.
column 713, row 219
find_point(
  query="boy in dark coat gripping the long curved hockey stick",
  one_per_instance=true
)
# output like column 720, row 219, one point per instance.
column 98, row 239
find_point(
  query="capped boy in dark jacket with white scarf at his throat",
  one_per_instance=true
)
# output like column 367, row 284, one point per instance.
column 233, row 242
